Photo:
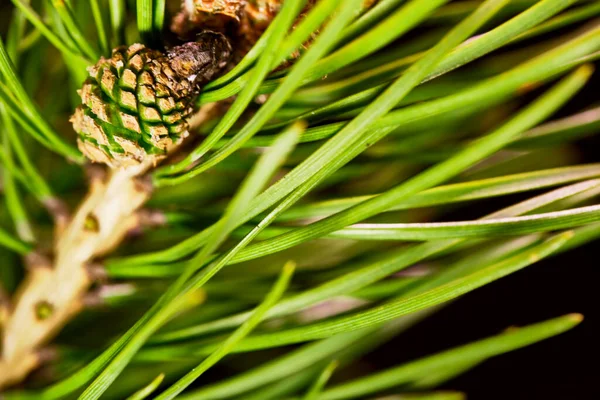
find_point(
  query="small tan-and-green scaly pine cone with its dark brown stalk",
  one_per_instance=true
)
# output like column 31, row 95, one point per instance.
column 135, row 104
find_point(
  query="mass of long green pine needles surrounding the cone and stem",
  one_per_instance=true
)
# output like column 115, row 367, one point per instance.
column 303, row 230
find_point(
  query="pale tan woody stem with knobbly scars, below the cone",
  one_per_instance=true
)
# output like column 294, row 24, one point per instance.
column 53, row 292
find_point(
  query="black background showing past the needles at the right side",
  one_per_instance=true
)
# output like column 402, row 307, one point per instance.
column 563, row 367
